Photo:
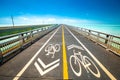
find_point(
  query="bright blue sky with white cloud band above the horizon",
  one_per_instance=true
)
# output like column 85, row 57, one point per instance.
column 60, row 11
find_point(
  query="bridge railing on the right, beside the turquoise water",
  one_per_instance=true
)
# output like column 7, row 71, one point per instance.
column 110, row 42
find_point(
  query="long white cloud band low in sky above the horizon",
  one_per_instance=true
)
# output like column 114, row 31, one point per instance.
column 35, row 20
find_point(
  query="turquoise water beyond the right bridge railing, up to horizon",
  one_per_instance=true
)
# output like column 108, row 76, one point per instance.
column 109, row 29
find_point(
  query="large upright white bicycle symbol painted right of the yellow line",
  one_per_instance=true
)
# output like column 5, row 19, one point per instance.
column 85, row 61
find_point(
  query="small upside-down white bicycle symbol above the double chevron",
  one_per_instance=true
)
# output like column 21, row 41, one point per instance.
column 52, row 49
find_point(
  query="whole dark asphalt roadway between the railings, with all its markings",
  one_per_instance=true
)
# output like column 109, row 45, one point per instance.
column 62, row 54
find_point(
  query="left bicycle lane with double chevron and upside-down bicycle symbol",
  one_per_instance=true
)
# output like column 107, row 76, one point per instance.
column 46, row 65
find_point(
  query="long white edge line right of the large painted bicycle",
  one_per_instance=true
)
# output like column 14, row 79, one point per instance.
column 97, row 61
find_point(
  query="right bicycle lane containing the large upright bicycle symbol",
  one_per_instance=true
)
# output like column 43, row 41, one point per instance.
column 90, row 69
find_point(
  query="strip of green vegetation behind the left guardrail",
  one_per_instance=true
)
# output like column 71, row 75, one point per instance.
column 9, row 30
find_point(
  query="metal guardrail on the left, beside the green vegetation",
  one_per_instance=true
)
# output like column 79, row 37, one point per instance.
column 12, row 43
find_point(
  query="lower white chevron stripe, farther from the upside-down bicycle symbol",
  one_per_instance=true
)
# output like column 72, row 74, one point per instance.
column 46, row 71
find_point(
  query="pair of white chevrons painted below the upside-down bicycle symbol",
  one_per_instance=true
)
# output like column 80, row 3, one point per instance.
column 46, row 66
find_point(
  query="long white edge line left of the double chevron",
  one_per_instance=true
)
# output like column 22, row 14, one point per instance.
column 31, row 60
